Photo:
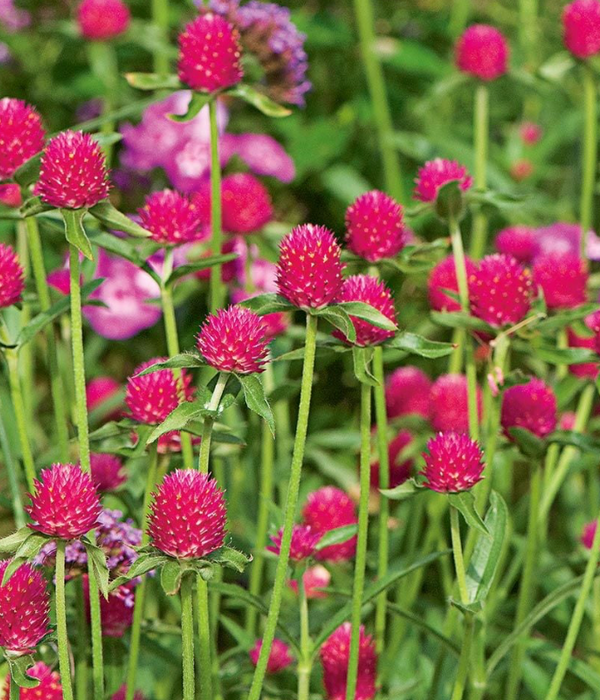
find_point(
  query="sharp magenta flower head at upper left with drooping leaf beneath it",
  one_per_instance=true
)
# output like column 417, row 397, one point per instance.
column 73, row 172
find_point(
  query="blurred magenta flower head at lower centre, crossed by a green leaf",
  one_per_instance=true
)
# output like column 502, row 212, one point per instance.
column 327, row 509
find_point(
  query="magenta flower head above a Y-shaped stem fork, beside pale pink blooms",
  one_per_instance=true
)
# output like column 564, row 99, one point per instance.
column 171, row 218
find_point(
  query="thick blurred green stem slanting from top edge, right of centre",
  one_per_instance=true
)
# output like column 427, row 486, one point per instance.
column 381, row 110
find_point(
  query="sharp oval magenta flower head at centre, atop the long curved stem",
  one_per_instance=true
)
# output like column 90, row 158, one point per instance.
column 309, row 271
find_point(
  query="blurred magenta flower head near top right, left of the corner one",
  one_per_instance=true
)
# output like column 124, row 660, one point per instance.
column 482, row 51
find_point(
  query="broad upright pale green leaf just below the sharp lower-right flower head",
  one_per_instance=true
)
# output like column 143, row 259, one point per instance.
column 487, row 552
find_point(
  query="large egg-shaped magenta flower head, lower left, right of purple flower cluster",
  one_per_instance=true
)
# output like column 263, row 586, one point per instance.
column 188, row 516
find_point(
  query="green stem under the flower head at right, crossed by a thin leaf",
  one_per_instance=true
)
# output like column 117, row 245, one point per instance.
column 527, row 586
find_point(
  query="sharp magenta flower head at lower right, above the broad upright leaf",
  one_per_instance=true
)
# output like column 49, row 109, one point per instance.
column 453, row 463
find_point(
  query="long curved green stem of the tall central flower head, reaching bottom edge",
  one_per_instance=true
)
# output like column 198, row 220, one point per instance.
column 290, row 507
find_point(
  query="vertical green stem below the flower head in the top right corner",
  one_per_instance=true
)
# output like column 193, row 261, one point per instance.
column 590, row 145
